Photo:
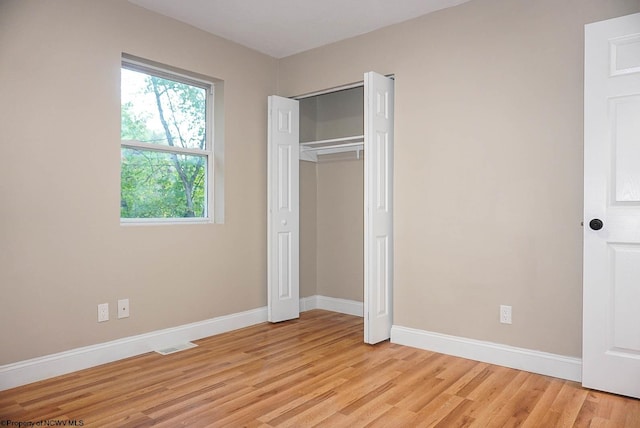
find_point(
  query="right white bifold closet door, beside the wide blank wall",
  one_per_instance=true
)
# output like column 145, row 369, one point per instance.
column 378, row 201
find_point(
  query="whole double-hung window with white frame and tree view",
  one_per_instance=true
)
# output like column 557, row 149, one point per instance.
column 166, row 153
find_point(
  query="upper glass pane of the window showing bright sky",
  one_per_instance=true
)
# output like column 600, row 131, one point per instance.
column 162, row 111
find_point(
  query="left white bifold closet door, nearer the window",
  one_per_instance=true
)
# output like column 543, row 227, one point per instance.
column 283, row 225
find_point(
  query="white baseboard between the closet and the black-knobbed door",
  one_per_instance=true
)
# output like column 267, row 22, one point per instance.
column 544, row 363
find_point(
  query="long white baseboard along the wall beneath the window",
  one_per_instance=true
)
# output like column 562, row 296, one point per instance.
column 33, row 370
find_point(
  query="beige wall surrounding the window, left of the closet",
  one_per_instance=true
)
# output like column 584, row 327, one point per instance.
column 62, row 249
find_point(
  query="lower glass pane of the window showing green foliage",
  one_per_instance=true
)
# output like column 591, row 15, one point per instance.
column 162, row 185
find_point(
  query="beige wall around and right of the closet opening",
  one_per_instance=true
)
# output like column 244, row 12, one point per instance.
column 488, row 162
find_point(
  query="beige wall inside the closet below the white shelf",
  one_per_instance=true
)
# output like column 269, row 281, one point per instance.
column 332, row 227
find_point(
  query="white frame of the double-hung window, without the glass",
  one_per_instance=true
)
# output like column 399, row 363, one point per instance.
column 211, row 212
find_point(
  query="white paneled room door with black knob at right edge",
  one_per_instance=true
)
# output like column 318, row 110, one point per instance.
column 611, row 311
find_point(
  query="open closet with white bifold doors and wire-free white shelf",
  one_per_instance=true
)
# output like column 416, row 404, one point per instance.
column 329, row 156
